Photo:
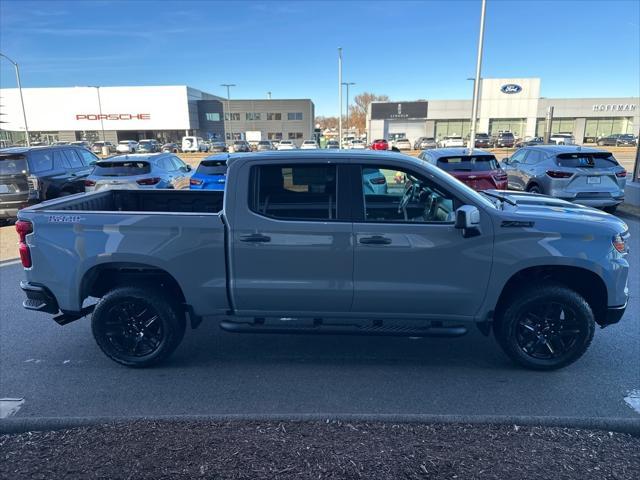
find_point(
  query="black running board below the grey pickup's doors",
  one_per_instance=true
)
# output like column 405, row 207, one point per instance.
column 434, row 329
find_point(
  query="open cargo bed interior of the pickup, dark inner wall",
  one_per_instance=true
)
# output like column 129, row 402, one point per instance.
column 165, row 201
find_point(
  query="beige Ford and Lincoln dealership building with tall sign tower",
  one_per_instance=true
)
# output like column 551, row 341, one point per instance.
column 505, row 104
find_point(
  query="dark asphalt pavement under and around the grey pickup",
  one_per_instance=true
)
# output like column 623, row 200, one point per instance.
column 53, row 371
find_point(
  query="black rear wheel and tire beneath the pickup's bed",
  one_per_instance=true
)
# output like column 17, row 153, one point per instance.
column 137, row 326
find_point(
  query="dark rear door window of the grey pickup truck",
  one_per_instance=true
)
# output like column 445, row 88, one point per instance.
column 294, row 192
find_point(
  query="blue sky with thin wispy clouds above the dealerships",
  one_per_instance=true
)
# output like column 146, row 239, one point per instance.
column 406, row 50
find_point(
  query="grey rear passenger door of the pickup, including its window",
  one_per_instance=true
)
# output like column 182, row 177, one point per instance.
column 292, row 251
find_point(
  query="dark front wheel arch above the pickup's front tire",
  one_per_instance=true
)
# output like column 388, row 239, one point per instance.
column 585, row 282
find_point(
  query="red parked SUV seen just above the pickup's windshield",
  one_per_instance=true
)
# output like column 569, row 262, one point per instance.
column 478, row 169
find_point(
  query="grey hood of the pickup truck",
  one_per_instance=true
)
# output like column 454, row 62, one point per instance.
column 532, row 207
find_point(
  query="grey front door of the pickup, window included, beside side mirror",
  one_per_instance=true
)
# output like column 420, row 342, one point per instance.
column 409, row 258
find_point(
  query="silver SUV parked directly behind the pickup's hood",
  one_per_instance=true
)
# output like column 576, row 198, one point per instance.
column 580, row 174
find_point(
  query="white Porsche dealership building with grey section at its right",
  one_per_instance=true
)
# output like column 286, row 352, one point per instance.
column 165, row 113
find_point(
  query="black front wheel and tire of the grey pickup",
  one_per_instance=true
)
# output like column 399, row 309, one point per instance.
column 545, row 328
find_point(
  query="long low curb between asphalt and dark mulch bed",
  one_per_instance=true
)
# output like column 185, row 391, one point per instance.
column 630, row 426
